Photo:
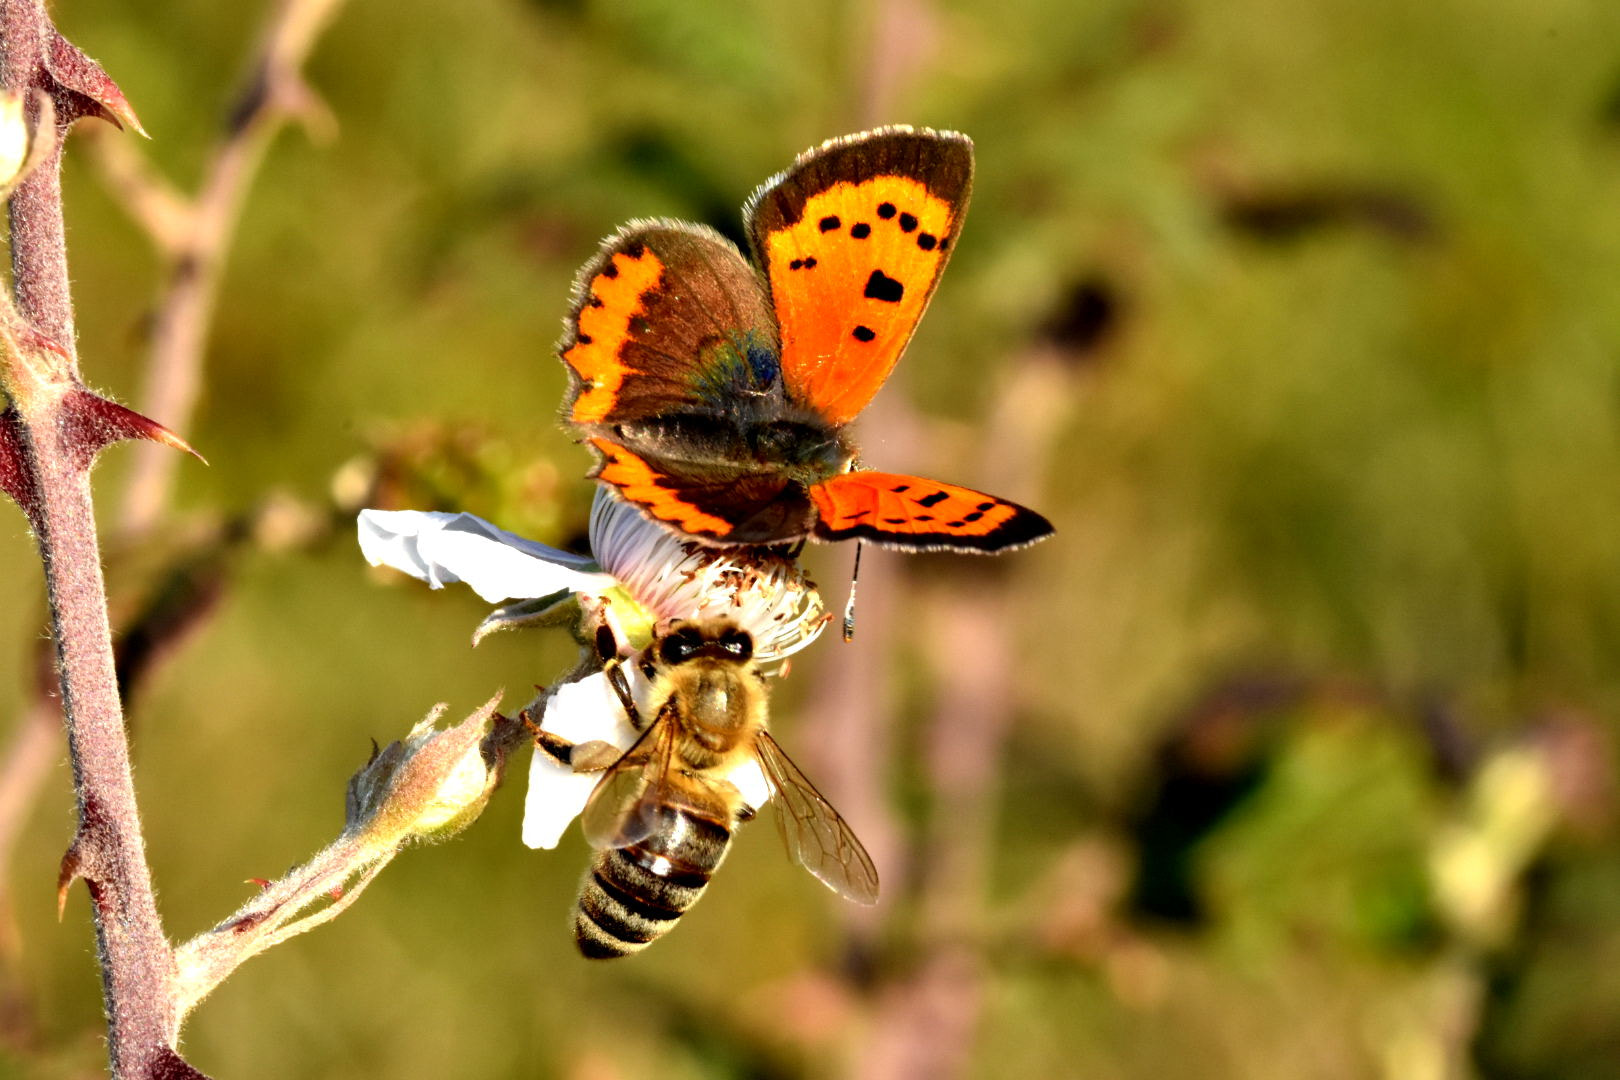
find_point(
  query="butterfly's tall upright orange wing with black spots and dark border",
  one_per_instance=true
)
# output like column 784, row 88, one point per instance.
column 853, row 240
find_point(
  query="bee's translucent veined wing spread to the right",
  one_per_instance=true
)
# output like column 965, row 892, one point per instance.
column 817, row 838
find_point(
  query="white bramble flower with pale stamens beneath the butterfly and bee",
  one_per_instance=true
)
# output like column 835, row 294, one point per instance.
column 642, row 577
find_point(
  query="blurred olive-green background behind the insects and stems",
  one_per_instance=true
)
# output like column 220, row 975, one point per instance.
column 1292, row 755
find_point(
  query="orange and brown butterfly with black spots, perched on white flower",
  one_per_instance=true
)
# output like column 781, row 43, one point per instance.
column 717, row 391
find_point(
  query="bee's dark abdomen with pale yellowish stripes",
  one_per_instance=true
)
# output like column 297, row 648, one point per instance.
column 634, row 895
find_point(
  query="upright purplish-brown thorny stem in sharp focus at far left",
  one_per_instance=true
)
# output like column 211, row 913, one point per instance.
column 108, row 851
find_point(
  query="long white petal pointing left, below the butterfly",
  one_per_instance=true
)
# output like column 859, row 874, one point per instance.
column 448, row 548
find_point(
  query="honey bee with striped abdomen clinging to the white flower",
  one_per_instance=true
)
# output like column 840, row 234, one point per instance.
column 663, row 814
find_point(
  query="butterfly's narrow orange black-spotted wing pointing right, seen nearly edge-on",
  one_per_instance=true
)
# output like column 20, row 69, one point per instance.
column 916, row 514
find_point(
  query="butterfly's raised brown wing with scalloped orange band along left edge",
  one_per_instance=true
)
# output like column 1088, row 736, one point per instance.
column 668, row 318
